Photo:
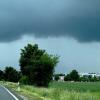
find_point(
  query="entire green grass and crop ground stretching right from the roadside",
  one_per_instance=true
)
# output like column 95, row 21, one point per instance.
column 61, row 91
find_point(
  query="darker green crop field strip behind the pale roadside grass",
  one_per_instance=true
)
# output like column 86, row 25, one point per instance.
column 77, row 86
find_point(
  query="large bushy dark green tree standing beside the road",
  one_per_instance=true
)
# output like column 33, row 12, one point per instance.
column 37, row 65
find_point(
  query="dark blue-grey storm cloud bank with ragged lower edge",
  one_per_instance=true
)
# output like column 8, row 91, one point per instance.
column 79, row 19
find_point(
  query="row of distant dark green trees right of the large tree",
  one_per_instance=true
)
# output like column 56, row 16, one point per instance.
column 74, row 76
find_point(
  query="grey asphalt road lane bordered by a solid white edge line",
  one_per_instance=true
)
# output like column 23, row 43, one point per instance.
column 5, row 95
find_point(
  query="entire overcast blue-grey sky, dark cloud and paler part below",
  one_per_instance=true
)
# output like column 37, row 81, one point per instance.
column 68, row 28
